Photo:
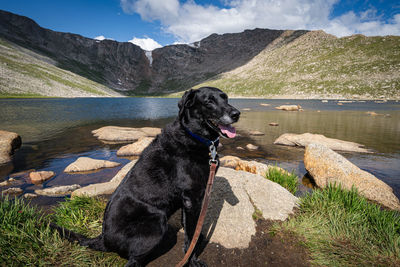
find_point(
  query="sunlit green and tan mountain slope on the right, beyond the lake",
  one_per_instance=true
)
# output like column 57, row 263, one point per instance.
column 319, row 65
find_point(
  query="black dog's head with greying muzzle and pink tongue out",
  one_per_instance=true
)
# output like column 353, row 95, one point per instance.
column 206, row 111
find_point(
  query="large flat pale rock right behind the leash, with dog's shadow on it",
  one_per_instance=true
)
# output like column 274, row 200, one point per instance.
column 231, row 206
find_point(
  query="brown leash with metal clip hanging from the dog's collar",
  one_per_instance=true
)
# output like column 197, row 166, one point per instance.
column 213, row 167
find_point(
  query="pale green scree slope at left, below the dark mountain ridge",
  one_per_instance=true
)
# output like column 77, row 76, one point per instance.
column 24, row 73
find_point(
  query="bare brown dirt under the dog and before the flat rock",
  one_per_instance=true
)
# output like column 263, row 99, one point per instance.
column 282, row 249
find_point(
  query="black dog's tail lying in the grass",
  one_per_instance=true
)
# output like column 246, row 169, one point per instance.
column 96, row 243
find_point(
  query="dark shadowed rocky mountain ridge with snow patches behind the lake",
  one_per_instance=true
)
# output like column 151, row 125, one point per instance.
column 126, row 67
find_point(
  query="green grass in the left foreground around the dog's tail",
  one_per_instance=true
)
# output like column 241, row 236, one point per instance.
column 27, row 240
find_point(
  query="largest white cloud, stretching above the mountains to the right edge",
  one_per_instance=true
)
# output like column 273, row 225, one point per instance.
column 190, row 22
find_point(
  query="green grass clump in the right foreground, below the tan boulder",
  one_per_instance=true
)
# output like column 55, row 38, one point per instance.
column 341, row 228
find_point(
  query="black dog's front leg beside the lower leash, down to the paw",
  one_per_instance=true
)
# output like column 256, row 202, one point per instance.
column 190, row 214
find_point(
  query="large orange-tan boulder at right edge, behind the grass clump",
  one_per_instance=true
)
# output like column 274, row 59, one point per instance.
column 328, row 167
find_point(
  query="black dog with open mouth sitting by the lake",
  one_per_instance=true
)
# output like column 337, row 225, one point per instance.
column 170, row 174
